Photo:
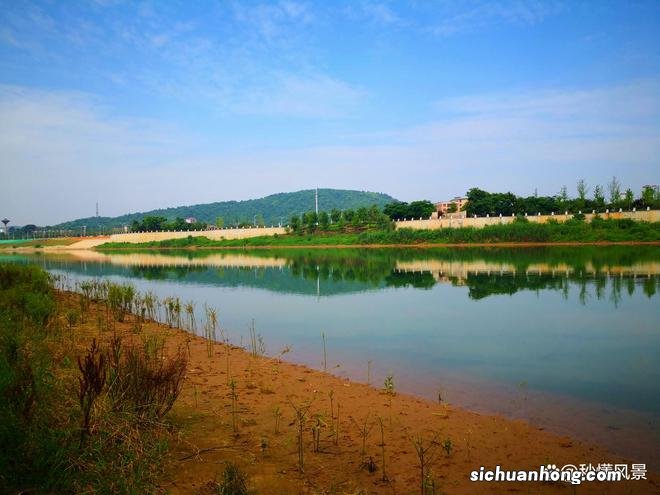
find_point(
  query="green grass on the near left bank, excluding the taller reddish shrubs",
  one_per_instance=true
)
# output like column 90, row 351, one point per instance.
column 41, row 450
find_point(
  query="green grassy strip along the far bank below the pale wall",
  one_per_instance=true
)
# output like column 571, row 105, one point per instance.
column 599, row 230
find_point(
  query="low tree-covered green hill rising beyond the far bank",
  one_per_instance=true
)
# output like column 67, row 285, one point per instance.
column 272, row 208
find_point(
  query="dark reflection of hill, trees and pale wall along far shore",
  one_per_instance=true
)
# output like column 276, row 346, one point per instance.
column 326, row 272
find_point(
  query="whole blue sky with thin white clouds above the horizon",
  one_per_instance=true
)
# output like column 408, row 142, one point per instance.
column 140, row 105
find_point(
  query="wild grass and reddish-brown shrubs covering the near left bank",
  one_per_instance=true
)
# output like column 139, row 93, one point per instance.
column 69, row 423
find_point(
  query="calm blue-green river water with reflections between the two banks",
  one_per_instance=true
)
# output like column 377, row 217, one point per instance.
column 566, row 338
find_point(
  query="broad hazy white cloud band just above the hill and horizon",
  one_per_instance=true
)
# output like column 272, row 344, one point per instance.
column 61, row 152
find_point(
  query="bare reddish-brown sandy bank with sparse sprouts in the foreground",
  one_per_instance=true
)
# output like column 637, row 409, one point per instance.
column 265, row 445
